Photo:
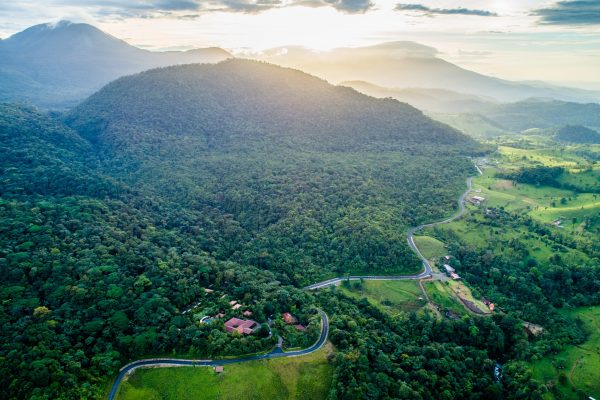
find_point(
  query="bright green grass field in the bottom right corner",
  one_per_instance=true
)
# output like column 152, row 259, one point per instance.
column 580, row 365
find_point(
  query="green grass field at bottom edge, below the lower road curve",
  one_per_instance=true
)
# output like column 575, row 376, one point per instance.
column 305, row 377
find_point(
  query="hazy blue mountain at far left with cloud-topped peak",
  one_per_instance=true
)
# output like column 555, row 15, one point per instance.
column 57, row 65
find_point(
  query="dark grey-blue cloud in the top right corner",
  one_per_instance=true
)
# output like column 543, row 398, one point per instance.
column 579, row 12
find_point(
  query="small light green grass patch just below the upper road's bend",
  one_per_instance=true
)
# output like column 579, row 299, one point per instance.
column 392, row 296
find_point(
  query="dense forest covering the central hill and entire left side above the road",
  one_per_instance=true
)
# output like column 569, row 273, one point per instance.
column 247, row 178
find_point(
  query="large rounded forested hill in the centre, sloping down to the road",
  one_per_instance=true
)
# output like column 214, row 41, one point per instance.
column 279, row 168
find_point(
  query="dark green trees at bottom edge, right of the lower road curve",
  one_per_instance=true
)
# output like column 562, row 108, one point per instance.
column 420, row 357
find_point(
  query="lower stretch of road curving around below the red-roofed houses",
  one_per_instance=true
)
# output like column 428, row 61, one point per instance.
column 177, row 362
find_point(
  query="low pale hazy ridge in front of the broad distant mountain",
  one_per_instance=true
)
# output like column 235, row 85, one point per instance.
column 435, row 100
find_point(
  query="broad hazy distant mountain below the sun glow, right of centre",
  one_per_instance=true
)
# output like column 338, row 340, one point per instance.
column 403, row 65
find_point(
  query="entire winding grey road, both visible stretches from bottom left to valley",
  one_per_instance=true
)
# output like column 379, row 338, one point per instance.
column 278, row 352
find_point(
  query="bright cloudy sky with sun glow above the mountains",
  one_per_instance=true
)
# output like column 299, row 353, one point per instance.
column 554, row 41
